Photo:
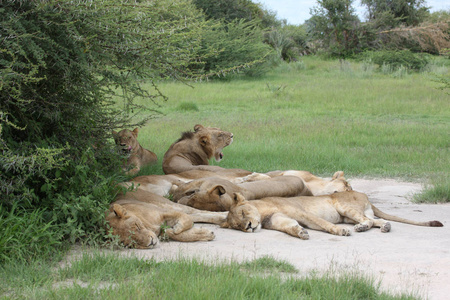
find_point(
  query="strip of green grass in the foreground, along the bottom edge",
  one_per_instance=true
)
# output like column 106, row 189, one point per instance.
column 98, row 275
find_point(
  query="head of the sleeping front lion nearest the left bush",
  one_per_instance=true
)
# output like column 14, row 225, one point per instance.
column 130, row 228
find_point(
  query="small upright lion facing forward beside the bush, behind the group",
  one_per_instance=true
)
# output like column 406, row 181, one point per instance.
column 137, row 155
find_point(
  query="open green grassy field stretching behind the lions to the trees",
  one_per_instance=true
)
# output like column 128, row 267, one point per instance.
column 320, row 116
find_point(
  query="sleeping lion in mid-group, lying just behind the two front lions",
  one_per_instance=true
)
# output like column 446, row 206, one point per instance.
column 216, row 194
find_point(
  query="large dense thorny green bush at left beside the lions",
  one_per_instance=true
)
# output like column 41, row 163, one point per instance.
column 64, row 67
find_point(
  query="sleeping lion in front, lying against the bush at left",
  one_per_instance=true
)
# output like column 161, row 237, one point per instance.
column 138, row 217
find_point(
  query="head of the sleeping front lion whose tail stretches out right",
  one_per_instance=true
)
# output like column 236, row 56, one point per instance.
column 242, row 215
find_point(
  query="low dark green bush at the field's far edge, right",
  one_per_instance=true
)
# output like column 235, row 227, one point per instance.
column 397, row 59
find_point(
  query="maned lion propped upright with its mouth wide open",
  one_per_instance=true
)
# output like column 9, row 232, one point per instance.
column 194, row 149
